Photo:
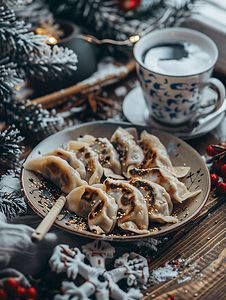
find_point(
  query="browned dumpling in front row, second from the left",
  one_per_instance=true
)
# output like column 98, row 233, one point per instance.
column 132, row 208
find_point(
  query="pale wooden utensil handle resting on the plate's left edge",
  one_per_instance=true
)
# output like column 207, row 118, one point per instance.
column 48, row 221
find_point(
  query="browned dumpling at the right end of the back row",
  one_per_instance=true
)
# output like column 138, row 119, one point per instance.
column 155, row 155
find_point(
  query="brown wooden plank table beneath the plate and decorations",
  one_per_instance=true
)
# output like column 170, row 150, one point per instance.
column 198, row 248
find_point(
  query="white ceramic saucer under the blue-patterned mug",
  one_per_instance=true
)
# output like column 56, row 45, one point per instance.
column 135, row 110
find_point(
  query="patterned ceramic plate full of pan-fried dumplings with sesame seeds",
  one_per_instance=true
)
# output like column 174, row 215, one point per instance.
column 121, row 181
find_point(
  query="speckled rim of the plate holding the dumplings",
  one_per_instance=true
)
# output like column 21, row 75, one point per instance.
column 184, row 154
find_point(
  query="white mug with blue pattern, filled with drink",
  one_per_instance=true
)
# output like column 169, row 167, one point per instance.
column 173, row 89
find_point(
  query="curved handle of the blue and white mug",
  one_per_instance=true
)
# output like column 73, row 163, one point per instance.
column 218, row 86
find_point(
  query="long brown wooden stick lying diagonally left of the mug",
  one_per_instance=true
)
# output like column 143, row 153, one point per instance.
column 60, row 97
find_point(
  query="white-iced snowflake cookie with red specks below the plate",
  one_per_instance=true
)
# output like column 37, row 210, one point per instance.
column 99, row 281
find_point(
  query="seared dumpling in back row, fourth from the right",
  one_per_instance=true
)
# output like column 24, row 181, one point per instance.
column 89, row 158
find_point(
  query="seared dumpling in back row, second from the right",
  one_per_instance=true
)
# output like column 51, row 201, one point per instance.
column 130, row 154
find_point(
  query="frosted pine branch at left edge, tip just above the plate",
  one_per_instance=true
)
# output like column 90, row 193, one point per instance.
column 32, row 120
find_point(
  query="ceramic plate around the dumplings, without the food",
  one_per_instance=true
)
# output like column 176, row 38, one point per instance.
column 41, row 194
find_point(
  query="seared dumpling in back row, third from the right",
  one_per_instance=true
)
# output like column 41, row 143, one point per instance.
column 107, row 155
